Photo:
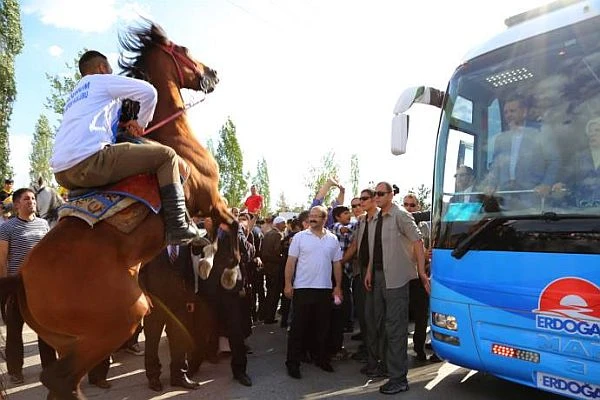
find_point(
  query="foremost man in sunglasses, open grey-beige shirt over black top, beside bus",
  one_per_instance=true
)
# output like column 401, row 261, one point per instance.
column 396, row 238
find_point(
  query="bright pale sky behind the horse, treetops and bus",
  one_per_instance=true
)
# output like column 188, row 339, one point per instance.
column 298, row 78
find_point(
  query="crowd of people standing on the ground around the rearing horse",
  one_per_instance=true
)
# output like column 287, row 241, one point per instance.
column 323, row 273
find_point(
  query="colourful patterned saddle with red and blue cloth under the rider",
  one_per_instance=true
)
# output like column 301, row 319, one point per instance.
column 123, row 205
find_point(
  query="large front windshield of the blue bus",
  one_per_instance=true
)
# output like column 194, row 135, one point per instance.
column 520, row 135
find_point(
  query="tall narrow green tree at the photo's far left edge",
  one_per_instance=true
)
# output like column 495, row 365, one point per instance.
column 11, row 44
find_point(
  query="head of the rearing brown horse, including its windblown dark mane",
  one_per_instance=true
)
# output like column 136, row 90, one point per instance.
column 144, row 43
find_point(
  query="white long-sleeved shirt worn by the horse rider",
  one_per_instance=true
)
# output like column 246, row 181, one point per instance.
column 91, row 114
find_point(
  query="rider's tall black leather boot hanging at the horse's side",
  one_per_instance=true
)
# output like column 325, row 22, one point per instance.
column 177, row 228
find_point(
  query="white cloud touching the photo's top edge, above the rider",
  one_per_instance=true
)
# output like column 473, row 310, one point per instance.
column 84, row 15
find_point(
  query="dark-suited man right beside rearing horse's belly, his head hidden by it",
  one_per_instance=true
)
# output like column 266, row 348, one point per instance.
column 172, row 297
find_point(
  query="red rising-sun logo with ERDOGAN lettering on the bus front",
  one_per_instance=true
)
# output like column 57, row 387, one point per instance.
column 570, row 305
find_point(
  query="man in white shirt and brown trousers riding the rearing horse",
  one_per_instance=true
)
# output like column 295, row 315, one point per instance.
column 86, row 154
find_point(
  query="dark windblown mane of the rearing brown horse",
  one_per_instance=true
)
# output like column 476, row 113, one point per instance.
column 135, row 42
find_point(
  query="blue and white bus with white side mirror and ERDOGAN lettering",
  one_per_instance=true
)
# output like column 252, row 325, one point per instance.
column 516, row 202
